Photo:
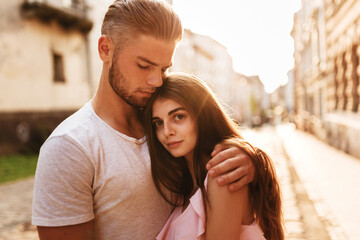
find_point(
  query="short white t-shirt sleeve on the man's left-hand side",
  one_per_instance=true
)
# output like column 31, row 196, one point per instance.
column 63, row 192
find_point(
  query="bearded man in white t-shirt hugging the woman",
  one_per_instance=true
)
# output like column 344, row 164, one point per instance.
column 93, row 179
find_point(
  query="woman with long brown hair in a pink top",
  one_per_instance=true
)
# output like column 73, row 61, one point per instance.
column 184, row 122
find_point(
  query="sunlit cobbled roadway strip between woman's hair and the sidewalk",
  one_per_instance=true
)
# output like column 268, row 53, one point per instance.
column 300, row 218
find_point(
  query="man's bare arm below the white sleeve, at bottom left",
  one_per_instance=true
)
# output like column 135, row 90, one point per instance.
column 83, row 231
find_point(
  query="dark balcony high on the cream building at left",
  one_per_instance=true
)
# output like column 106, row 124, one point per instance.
column 71, row 15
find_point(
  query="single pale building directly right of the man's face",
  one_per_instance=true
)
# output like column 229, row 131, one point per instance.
column 203, row 56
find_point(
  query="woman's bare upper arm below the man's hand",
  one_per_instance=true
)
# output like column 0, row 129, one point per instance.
column 226, row 211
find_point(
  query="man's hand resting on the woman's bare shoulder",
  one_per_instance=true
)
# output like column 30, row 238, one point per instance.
column 231, row 166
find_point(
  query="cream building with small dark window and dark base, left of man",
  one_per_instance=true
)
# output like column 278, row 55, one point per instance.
column 44, row 70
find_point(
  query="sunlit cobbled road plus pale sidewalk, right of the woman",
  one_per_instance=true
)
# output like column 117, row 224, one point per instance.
column 325, row 183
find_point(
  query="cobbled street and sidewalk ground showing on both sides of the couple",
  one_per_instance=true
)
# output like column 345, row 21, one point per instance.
column 320, row 187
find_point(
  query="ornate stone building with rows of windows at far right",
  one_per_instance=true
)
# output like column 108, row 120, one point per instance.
column 326, row 73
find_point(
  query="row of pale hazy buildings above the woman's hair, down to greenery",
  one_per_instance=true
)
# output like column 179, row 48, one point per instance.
column 243, row 97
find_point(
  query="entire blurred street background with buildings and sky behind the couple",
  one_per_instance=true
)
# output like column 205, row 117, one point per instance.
column 287, row 71
